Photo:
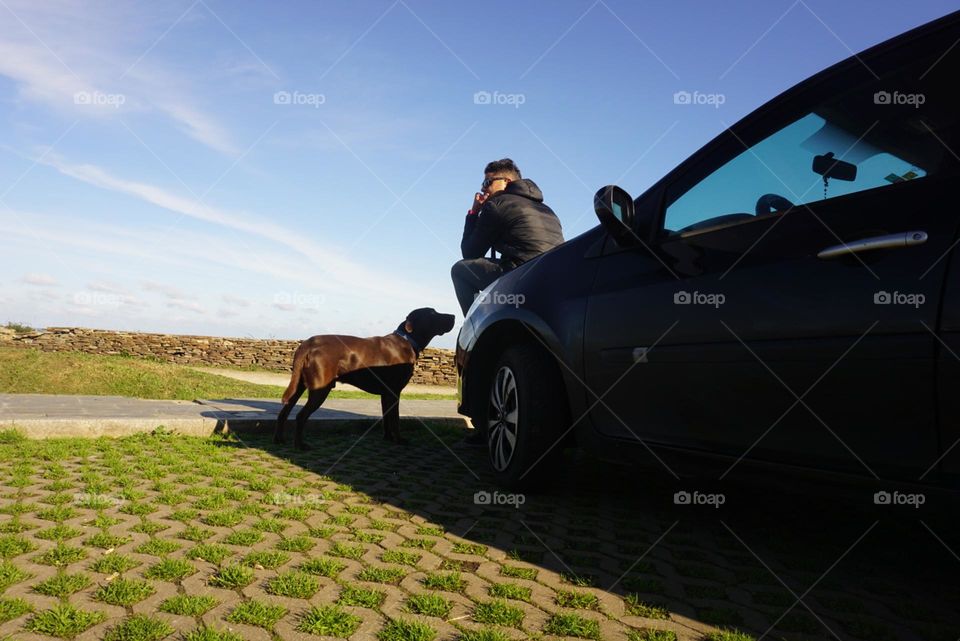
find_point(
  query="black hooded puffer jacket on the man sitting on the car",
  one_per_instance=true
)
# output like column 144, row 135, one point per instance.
column 515, row 222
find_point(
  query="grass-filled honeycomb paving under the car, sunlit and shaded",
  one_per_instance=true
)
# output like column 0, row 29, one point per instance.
column 160, row 536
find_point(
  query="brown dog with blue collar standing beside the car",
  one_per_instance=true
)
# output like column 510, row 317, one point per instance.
column 380, row 365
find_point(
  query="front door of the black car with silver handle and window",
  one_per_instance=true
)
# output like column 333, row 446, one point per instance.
column 752, row 325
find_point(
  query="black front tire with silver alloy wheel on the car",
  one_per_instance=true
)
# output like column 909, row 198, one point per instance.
column 525, row 414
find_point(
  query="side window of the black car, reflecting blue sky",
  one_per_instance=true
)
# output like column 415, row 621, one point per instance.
column 778, row 172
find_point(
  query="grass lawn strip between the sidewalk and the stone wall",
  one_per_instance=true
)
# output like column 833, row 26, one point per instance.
column 30, row 371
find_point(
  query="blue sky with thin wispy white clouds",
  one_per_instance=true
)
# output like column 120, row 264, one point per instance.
column 286, row 169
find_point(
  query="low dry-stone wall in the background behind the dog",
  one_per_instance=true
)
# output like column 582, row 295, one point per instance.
column 435, row 367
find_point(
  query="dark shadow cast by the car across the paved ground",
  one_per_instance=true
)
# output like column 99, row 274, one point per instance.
column 778, row 557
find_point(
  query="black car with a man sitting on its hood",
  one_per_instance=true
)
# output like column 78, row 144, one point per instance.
column 788, row 294
